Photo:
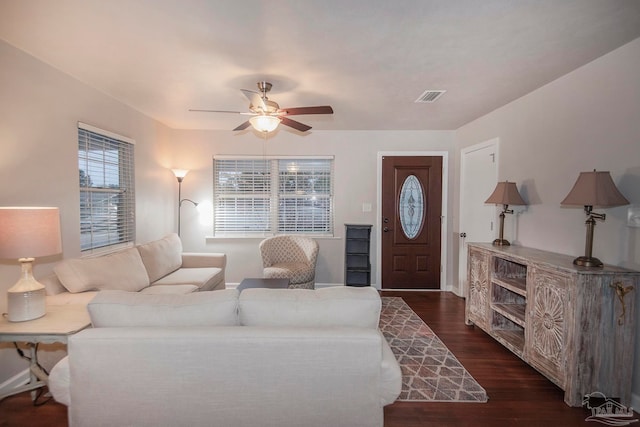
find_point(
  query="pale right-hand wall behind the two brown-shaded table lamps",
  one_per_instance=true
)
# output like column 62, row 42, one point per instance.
column 588, row 119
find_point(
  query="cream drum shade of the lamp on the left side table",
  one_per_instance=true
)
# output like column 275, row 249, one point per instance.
column 29, row 232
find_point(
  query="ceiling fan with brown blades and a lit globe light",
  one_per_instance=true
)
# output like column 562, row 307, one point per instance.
column 267, row 114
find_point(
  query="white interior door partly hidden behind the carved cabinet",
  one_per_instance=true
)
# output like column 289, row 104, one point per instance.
column 478, row 177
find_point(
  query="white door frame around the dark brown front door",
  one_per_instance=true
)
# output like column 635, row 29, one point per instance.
column 444, row 285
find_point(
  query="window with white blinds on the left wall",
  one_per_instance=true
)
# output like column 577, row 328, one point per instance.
column 107, row 197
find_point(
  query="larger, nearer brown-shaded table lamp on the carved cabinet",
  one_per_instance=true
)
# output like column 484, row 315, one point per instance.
column 593, row 189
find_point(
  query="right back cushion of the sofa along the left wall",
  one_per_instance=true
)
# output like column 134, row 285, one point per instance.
column 162, row 256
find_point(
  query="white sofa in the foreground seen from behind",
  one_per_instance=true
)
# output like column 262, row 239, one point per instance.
column 260, row 357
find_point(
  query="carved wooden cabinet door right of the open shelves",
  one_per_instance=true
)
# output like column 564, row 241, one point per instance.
column 547, row 330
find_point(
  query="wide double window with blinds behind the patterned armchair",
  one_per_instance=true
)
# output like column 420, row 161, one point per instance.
column 260, row 196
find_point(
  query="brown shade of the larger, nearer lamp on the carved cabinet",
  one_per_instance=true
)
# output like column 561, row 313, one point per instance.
column 595, row 189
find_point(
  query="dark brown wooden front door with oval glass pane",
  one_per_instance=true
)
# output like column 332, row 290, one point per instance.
column 411, row 222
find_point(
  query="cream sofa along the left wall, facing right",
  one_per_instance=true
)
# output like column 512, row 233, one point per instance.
column 155, row 267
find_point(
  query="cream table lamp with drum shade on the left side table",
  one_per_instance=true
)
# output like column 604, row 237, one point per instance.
column 27, row 233
